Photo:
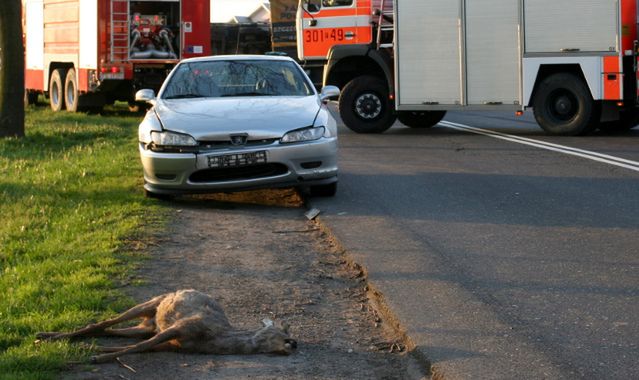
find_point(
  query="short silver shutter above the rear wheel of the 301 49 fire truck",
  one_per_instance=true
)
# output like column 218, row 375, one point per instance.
column 570, row 26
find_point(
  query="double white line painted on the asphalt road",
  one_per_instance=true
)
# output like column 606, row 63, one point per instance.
column 599, row 157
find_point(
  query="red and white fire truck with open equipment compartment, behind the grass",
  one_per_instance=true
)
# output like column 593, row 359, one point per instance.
column 84, row 54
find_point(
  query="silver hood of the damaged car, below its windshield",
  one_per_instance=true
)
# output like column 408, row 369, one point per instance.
column 217, row 118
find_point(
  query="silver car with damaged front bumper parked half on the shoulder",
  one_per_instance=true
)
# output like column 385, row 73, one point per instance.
column 230, row 123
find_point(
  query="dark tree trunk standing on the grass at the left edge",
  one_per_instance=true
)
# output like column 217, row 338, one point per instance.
column 11, row 69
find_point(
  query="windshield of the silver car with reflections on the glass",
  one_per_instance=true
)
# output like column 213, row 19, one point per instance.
column 212, row 79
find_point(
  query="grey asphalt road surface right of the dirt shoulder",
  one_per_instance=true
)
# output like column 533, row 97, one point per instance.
column 501, row 260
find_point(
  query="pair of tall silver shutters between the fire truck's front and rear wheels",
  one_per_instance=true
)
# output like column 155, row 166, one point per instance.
column 458, row 53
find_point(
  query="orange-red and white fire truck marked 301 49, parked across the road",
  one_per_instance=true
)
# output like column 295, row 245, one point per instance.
column 574, row 62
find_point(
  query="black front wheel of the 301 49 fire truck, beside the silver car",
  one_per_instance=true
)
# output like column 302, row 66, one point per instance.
column 365, row 106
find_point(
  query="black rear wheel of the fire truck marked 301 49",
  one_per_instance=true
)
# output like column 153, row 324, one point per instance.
column 563, row 106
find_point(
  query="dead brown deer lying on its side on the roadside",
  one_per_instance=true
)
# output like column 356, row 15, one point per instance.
column 188, row 321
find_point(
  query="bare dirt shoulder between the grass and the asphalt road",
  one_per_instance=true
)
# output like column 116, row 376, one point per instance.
column 264, row 260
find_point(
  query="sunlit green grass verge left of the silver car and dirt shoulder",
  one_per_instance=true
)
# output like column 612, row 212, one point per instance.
column 70, row 200
